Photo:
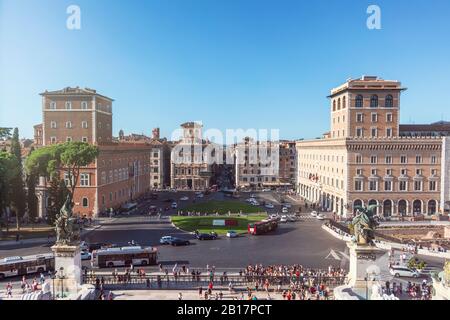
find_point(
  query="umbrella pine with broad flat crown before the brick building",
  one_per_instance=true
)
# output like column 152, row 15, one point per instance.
column 55, row 160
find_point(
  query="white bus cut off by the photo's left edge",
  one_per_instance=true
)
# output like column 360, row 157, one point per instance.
column 19, row 266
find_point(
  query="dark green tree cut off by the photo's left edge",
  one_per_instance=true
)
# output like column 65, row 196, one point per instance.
column 8, row 171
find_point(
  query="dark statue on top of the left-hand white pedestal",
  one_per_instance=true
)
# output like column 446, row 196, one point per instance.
column 67, row 228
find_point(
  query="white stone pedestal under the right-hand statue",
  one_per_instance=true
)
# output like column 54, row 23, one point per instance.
column 361, row 257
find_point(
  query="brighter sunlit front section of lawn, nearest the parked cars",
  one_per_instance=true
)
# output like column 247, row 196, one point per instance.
column 205, row 224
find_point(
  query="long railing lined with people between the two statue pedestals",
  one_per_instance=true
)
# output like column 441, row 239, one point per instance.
column 171, row 281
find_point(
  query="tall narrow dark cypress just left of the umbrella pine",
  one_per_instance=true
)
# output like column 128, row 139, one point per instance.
column 17, row 186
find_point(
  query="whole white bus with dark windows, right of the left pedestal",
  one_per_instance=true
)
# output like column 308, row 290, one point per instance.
column 124, row 256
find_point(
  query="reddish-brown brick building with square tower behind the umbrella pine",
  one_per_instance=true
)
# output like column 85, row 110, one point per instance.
column 122, row 171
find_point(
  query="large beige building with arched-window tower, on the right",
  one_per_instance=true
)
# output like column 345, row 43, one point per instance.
column 364, row 159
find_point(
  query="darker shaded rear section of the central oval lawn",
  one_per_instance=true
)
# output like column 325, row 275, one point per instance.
column 222, row 207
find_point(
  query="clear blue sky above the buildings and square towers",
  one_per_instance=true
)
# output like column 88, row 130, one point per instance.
column 229, row 63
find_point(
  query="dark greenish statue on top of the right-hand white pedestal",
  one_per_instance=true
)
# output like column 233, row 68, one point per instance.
column 364, row 224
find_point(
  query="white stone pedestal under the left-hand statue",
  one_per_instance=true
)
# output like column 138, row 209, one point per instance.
column 68, row 268
